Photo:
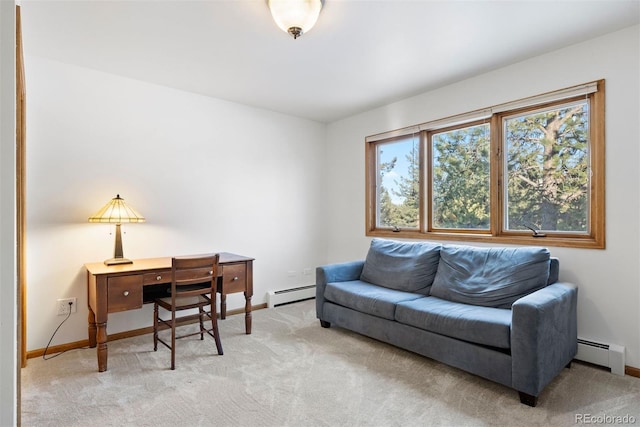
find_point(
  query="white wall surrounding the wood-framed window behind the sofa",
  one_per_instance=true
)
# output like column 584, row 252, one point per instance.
column 608, row 280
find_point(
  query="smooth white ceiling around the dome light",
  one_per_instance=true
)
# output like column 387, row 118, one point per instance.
column 360, row 55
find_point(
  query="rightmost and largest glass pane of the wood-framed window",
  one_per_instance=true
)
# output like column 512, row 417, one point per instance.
column 548, row 169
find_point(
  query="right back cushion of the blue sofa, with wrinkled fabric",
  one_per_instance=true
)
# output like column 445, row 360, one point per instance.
column 490, row 277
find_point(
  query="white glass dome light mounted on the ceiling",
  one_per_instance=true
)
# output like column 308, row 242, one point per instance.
column 295, row 17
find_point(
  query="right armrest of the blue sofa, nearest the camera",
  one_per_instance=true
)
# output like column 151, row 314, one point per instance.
column 544, row 336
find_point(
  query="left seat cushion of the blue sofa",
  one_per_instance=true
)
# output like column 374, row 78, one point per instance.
column 367, row 298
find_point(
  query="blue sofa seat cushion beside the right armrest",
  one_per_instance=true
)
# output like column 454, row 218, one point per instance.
column 480, row 325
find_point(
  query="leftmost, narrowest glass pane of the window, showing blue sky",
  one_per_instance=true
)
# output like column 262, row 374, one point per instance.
column 398, row 183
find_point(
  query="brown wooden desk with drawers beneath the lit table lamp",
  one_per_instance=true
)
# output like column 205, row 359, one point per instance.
column 128, row 286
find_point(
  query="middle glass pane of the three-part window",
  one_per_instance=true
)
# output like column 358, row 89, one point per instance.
column 461, row 174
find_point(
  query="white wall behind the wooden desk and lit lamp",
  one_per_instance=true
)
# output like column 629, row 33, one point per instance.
column 208, row 175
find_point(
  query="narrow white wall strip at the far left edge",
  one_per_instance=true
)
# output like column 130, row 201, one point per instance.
column 8, row 307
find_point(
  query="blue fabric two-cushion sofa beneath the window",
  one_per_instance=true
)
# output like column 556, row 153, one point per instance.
column 499, row 313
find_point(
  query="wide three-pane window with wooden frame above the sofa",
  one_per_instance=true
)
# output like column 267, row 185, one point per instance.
column 526, row 172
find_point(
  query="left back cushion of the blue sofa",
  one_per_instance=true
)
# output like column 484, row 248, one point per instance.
column 404, row 266
